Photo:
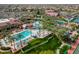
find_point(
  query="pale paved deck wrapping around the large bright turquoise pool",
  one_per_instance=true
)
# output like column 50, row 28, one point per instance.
column 40, row 34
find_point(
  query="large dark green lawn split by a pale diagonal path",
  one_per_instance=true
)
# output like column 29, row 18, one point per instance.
column 47, row 48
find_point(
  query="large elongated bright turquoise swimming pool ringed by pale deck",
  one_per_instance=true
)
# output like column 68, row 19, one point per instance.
column 21, row 35
